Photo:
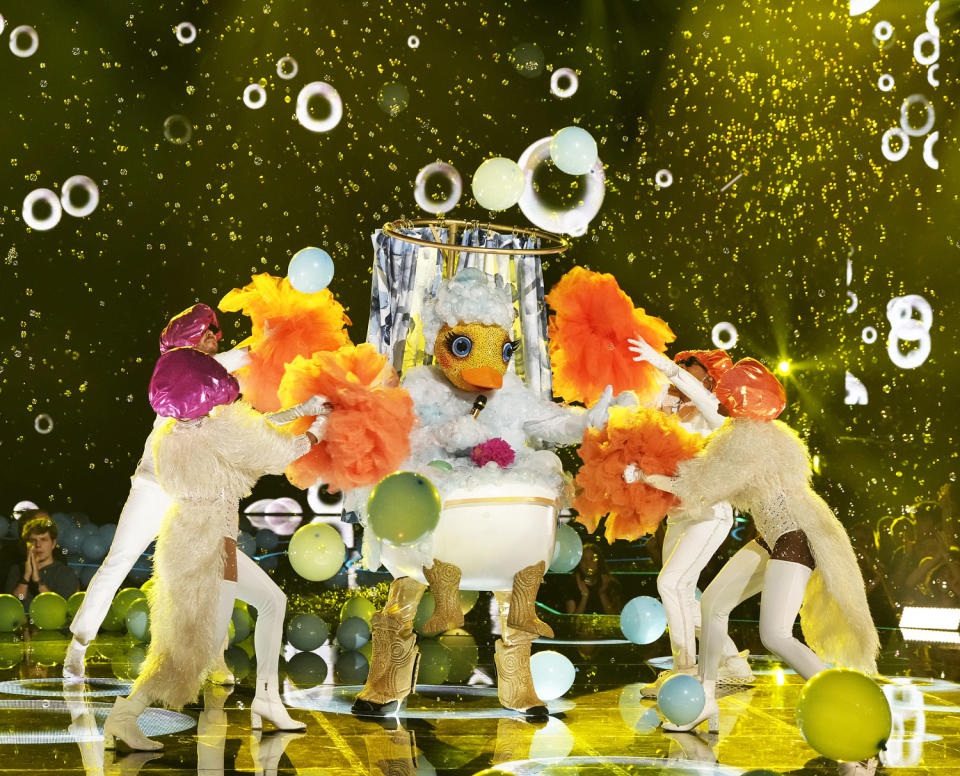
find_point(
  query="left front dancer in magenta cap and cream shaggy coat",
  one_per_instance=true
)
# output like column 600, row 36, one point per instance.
column 208, row 456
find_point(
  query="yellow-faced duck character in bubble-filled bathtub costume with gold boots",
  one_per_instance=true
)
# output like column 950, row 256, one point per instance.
column 487, row 428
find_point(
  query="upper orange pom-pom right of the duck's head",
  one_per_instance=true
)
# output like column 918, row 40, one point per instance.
column 592, row 321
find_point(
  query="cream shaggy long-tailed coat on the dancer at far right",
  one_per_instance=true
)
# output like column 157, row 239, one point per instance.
column 763, row 468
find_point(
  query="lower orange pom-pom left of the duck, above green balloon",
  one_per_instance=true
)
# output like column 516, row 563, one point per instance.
column 367, row 435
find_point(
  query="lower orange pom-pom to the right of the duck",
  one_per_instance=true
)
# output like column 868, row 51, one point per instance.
column 654, row 441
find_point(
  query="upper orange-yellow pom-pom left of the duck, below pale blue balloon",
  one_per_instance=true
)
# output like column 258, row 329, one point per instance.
column 285, row 323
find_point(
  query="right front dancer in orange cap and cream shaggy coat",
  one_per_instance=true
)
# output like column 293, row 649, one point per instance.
column 803, row 555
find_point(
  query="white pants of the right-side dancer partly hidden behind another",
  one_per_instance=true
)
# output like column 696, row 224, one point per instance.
column 688, row 547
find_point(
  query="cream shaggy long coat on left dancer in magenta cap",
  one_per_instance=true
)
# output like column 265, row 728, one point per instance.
column 206, row 466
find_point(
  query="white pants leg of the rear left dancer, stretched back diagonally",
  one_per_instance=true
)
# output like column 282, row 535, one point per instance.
column 138, row 525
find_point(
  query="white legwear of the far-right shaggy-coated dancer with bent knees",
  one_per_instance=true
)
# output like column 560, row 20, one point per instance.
column 782, row 584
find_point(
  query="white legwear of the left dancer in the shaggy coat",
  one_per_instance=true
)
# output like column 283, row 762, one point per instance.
column 255, row 587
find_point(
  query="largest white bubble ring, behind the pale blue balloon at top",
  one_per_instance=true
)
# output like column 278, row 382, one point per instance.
column 555, row 201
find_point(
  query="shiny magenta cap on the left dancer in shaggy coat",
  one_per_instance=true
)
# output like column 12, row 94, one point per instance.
column 187, row 384
